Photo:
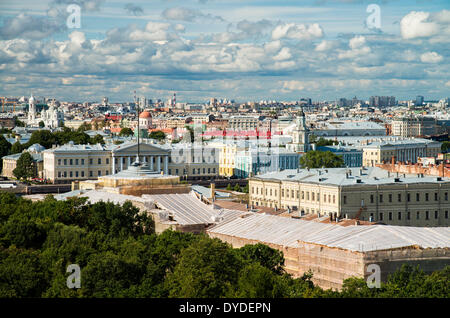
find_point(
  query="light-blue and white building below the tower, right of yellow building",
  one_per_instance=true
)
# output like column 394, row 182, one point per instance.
column 259, row 161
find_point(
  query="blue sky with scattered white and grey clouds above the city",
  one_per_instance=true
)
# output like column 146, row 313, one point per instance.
column 234, row 49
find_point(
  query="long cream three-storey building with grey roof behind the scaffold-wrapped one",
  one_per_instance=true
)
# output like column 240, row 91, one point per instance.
column 370, row 194
